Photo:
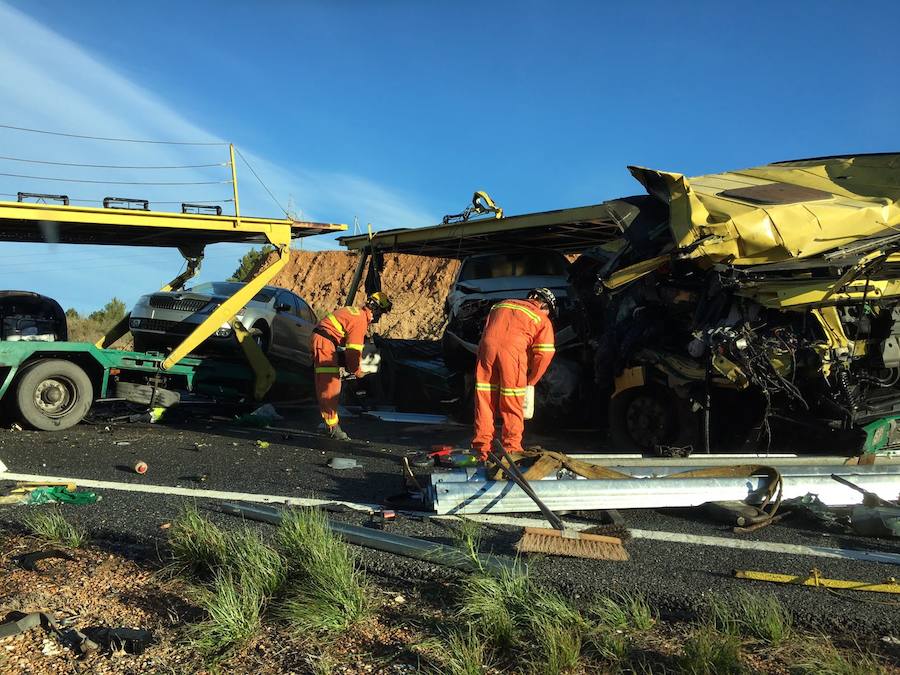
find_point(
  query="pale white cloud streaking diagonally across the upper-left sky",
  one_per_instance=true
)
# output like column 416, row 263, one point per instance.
column 49, row 82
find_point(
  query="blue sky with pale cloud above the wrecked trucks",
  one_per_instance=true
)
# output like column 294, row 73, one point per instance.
column 394, row 112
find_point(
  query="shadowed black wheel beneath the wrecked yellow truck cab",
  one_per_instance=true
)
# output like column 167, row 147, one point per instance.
column 646, row 417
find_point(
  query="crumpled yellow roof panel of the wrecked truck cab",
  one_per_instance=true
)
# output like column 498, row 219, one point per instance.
column 782, row 211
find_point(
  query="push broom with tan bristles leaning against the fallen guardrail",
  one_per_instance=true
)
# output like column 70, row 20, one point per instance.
column 559, row 540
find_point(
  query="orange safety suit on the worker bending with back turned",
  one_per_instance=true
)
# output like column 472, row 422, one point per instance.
column 515, row 350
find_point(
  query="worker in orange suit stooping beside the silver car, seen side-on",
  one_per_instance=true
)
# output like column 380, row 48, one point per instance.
column 345, row 327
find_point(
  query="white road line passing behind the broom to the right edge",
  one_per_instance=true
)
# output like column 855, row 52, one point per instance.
column 723, row 542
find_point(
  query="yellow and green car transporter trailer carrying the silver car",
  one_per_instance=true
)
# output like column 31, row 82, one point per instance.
column 66, row 377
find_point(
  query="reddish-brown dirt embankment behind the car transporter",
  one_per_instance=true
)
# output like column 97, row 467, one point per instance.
column 417, row 285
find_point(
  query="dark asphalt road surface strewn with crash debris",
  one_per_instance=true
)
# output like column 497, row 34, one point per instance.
column 678, row 578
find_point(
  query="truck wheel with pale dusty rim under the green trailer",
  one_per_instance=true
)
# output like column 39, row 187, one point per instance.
column 53, row 395
